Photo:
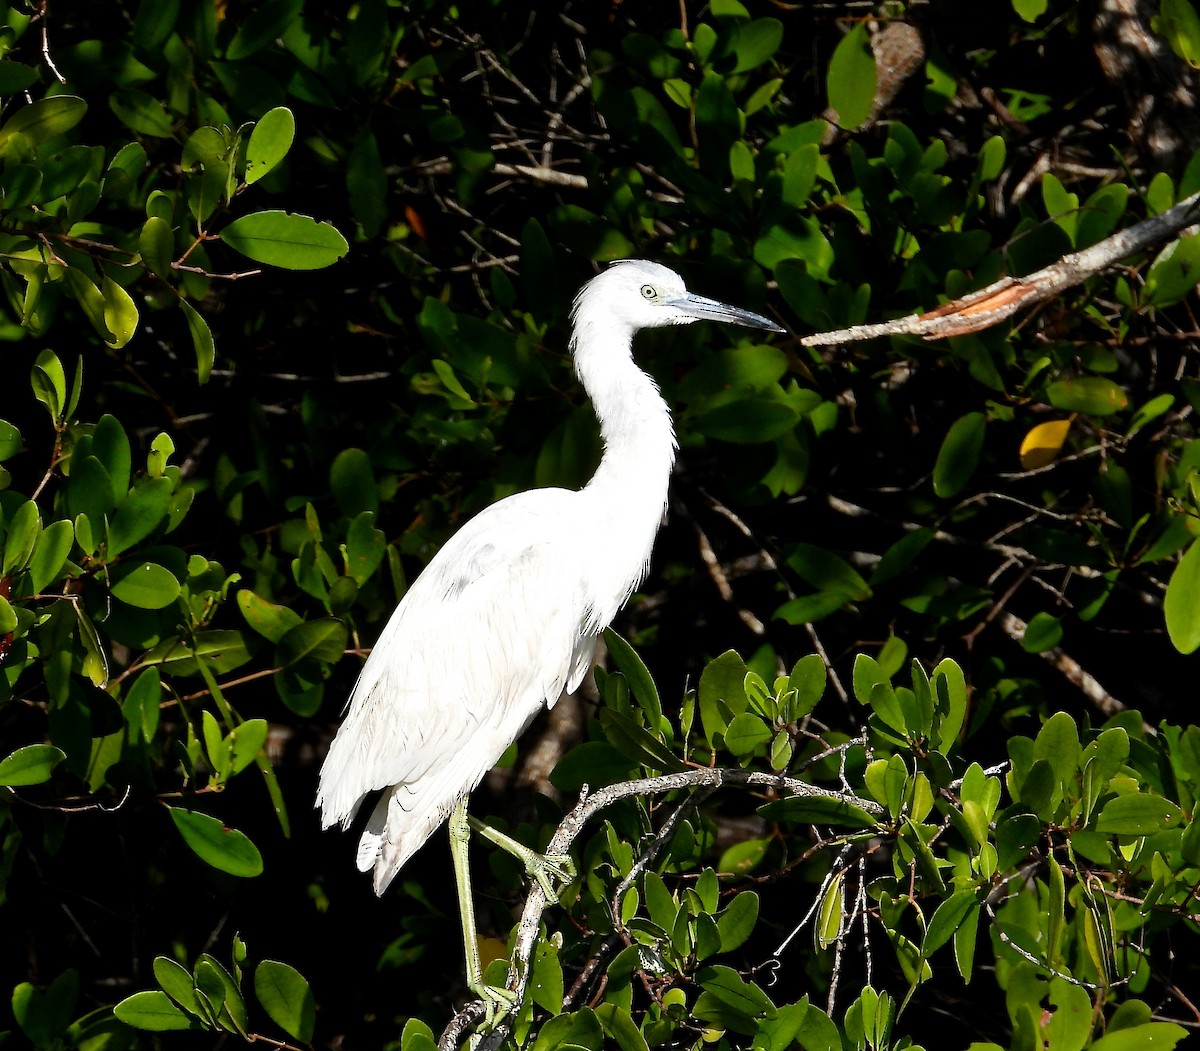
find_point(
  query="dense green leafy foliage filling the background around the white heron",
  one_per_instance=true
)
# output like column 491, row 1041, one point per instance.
column 286, row 296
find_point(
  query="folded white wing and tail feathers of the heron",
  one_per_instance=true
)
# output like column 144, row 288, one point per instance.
column 488, row 635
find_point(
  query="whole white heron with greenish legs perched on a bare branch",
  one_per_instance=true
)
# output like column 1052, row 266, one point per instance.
column 507, row 615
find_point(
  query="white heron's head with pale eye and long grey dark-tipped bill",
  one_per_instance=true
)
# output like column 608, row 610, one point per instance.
column 649, row 296
